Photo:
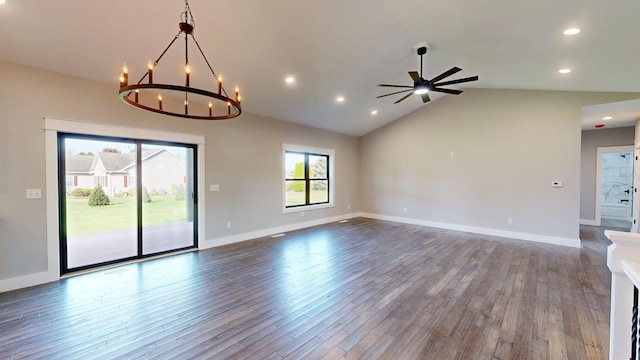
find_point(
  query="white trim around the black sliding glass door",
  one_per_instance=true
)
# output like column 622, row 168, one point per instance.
column 53, row 126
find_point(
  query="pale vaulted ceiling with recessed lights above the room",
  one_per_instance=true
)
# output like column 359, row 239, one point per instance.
column 340, row 48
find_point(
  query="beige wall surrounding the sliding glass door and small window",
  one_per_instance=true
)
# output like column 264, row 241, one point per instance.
column 243, row 155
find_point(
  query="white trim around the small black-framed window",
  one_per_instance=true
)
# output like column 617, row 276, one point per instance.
column 332, row 173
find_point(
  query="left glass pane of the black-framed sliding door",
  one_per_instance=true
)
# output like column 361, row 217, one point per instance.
column 101, row 214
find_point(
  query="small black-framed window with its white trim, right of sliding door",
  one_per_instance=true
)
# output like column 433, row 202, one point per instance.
column 308, row 178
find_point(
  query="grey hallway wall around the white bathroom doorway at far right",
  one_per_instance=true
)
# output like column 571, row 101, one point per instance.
column 591, row 140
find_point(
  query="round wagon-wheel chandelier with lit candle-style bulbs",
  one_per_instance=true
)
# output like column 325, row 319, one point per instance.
column 148, row 95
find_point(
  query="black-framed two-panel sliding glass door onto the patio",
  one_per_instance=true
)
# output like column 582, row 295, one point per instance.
column 123, row 199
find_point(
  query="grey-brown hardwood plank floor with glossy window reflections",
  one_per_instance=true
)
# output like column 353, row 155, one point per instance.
column 358, row 290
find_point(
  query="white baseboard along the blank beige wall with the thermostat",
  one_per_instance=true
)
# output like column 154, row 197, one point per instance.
column 479, row 230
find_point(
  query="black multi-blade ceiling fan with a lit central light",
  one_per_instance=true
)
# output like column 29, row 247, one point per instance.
column 422, row 86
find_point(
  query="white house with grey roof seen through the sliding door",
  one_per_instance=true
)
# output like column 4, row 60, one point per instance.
column 116, row 173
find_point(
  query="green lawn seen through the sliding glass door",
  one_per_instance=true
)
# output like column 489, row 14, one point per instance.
column 121, row 213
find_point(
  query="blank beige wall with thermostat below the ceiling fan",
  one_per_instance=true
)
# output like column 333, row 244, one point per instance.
column 508, row 146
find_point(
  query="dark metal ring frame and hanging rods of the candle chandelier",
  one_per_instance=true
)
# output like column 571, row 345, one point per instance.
column 127, row 91
